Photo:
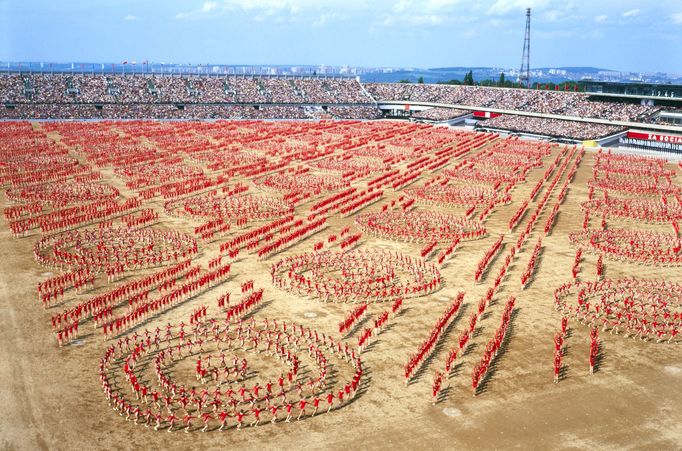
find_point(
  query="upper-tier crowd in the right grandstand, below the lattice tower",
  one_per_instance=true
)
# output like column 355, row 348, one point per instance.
column 573, row 104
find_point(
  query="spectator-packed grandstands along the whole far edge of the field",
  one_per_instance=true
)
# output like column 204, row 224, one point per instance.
column 573, row 117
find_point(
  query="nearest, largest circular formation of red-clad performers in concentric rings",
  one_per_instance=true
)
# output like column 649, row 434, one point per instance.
column 246, row 373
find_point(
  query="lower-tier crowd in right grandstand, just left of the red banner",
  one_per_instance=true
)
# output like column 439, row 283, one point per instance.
column 550, row 127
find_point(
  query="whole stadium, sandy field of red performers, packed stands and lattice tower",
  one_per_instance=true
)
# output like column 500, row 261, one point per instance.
column 212, row 260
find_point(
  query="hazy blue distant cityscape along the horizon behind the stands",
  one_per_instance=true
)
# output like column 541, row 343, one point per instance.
column 366, row 74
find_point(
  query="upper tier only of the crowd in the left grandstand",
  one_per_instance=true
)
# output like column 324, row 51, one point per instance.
column 156, row 88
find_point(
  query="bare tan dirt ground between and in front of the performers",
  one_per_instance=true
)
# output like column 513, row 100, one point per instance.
column 52, row 398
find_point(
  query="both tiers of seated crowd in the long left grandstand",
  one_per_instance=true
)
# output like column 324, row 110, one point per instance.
column 96, row 96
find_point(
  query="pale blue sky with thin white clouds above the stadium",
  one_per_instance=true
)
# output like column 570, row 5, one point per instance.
column 628, row 35
